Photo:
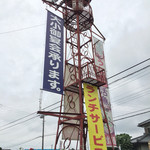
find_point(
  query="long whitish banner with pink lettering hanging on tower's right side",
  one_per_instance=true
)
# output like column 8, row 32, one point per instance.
column 100, row 61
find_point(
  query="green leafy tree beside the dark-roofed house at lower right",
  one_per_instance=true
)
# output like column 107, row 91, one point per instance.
column 124, row 140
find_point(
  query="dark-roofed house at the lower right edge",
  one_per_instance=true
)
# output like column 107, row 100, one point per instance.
column 143, row 142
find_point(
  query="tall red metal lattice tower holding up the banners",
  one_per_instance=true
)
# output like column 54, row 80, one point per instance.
column 84, row 63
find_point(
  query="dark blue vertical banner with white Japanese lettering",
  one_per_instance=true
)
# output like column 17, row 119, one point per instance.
column 53, row 65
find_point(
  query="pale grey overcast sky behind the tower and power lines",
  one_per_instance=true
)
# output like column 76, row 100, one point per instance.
column 126, row 26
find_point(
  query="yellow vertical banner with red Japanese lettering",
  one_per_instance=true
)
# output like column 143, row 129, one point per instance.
column 94, row 117
